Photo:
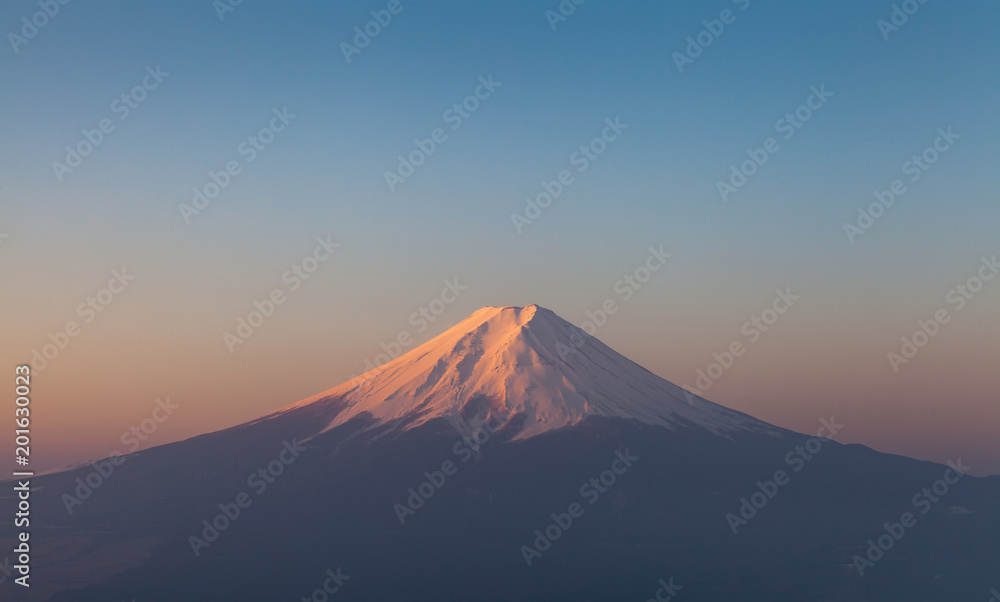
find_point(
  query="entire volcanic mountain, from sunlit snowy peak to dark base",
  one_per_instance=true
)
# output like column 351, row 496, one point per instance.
column 512, row 457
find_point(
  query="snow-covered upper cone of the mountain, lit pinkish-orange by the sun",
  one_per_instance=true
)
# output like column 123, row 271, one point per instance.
column 526, row 362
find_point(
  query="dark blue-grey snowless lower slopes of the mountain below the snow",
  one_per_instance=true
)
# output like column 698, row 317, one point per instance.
column 664, row 517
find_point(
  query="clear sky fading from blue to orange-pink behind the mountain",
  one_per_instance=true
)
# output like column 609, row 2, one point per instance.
column 357, row 180
